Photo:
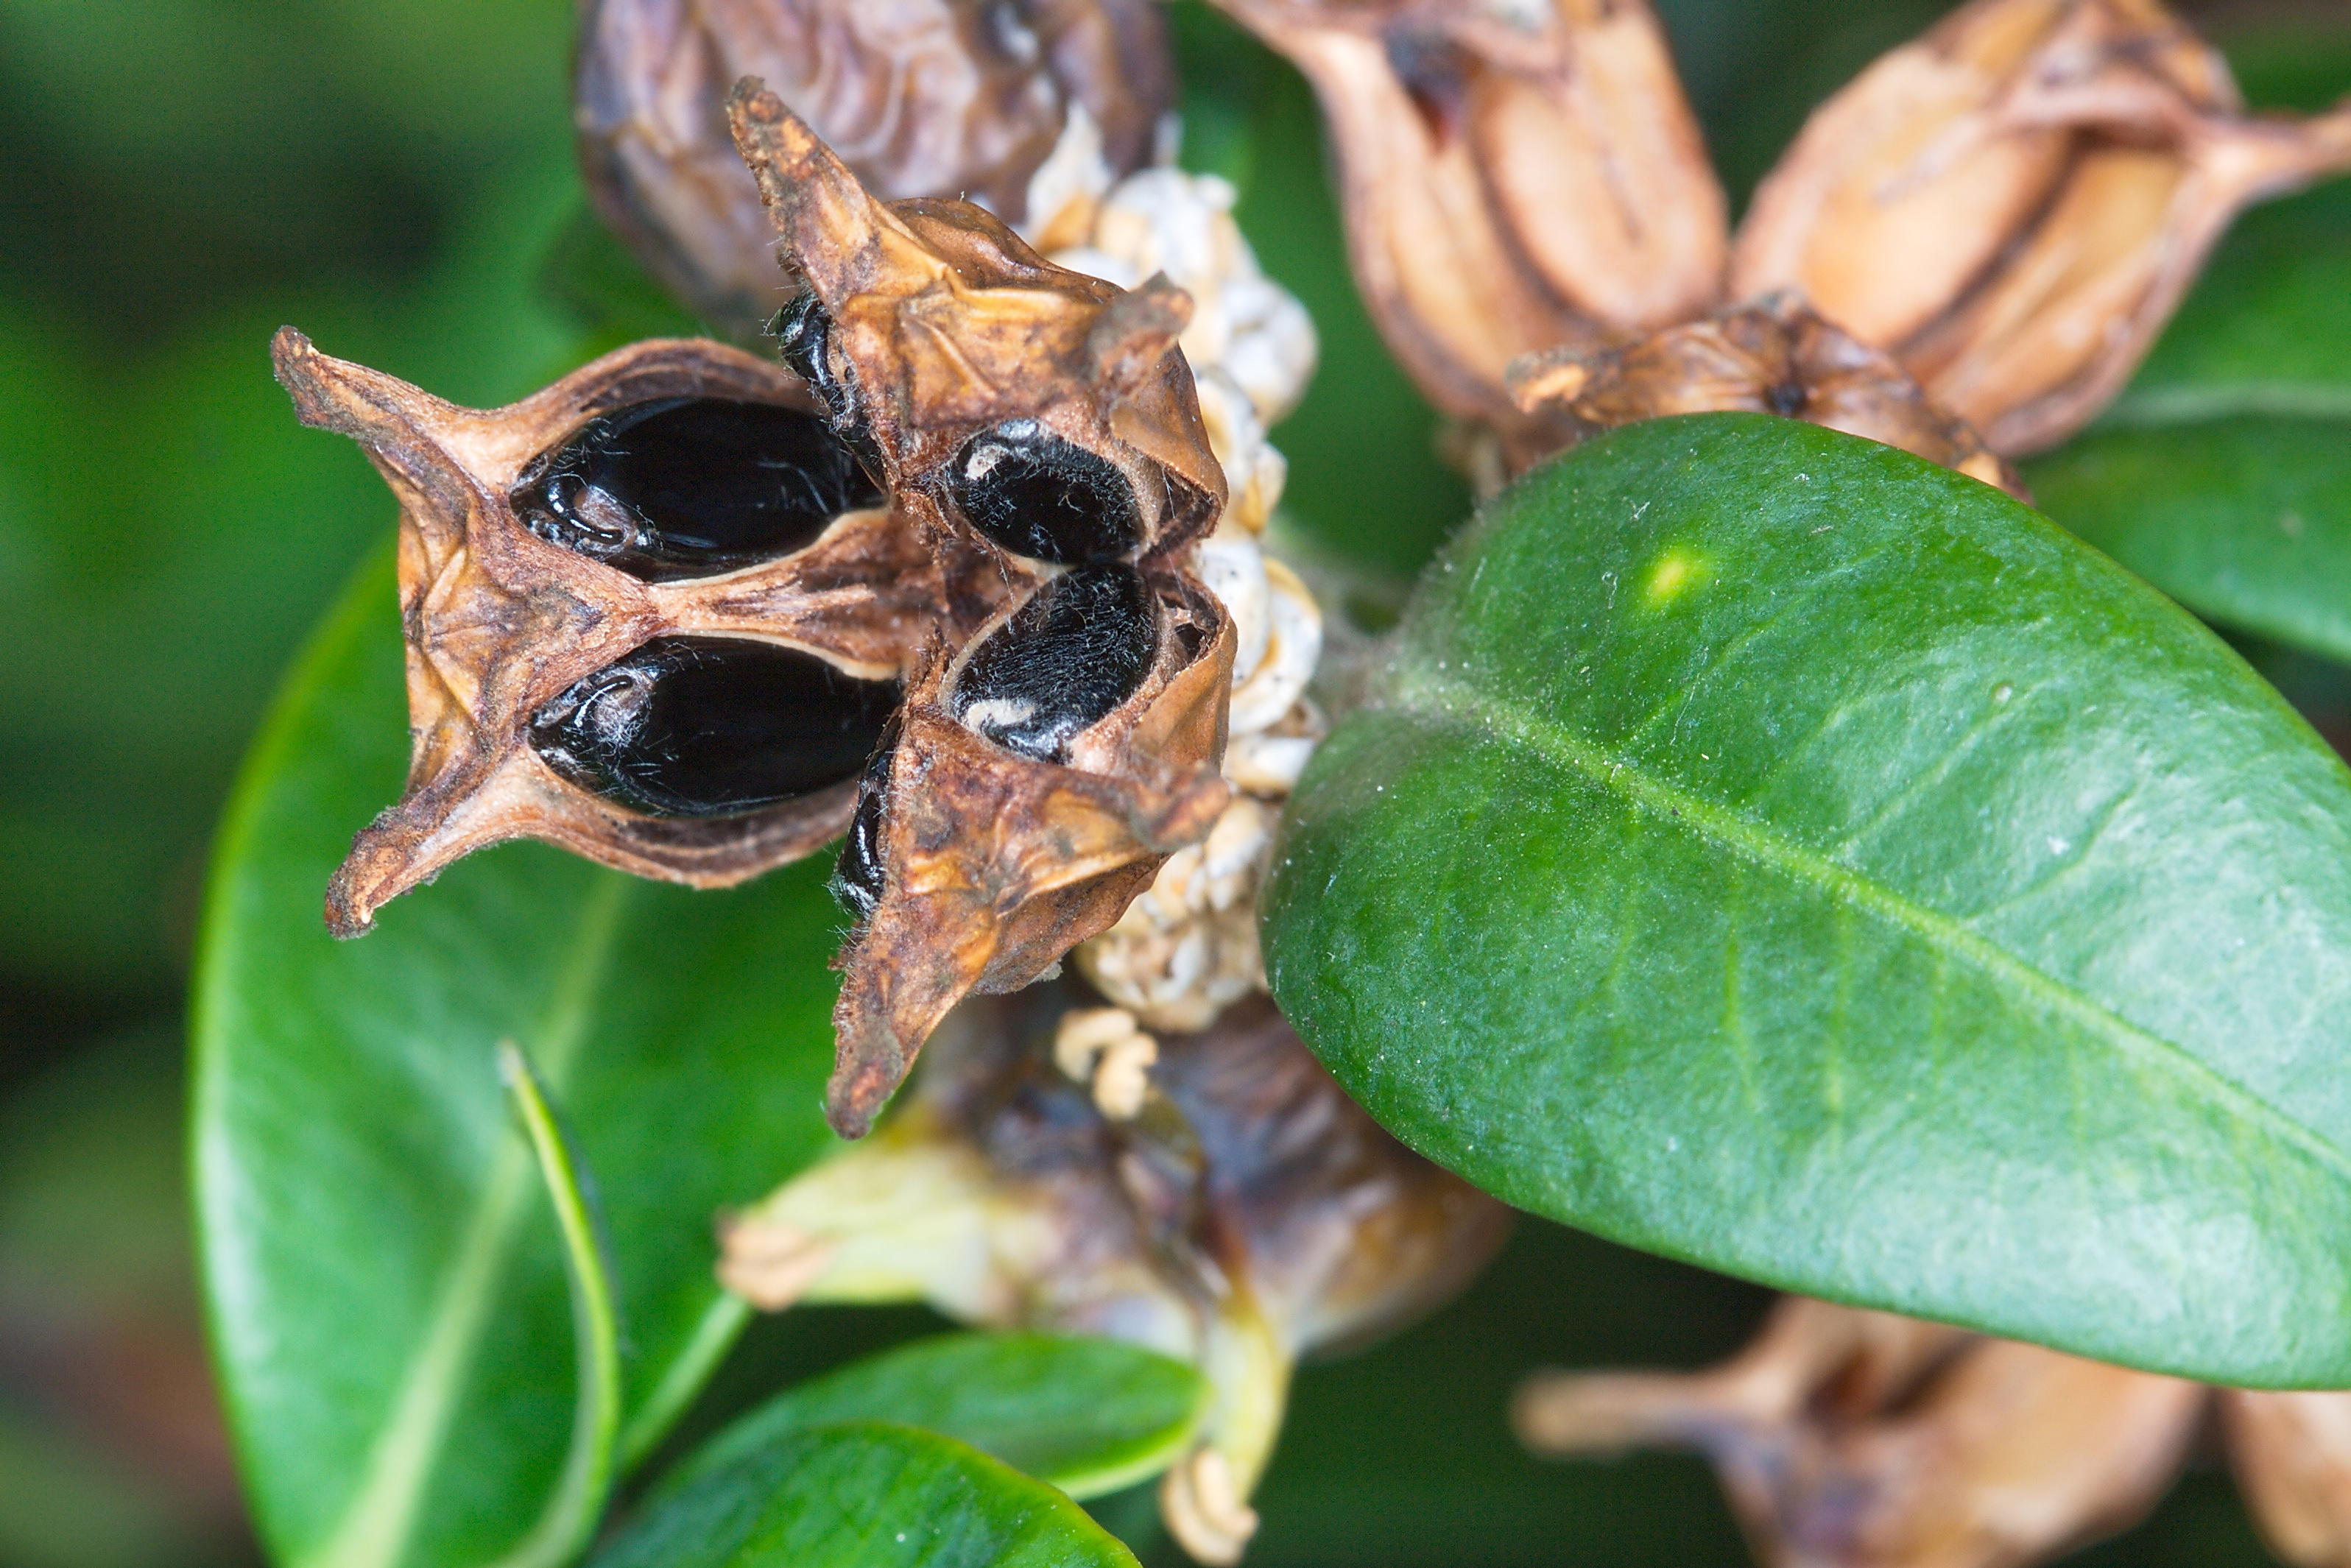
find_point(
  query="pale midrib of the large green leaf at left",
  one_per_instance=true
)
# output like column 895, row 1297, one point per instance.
column 380, row 1520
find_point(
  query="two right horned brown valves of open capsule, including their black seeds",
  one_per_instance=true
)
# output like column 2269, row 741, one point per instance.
column 1066, row 730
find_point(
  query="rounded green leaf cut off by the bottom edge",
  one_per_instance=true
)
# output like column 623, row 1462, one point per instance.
column 862, row 1496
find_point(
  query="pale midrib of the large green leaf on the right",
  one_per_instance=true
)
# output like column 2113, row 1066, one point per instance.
column 1781, row 855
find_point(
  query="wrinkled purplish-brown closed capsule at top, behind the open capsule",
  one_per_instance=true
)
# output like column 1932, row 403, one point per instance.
column 1022, row 105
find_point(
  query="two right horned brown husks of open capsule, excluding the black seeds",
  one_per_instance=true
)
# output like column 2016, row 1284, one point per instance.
column 946, row 323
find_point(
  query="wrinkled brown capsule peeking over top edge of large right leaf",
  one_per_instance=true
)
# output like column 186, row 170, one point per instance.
column 1774, row 356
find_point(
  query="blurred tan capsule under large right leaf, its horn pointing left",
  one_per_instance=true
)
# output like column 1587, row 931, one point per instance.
column 1861, row 1440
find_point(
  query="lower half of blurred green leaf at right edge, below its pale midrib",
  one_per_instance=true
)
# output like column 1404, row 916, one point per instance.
column 2244, row 521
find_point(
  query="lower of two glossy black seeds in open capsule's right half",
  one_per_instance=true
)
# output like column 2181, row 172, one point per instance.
column 1066, row 659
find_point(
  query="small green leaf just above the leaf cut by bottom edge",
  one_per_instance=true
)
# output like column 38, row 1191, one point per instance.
column 1090, row 1416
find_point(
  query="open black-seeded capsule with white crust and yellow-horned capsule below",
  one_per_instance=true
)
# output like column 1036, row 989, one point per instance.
column 967, row 572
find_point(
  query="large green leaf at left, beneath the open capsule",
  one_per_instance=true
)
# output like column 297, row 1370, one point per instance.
column 384, row 1280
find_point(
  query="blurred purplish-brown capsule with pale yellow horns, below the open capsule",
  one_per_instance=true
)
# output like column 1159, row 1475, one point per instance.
column 1243, row 1214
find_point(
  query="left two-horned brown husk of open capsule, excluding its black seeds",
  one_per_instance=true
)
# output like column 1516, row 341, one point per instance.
column 500, row 622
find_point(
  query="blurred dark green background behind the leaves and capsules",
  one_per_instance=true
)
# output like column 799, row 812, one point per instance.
column 178, row 177
